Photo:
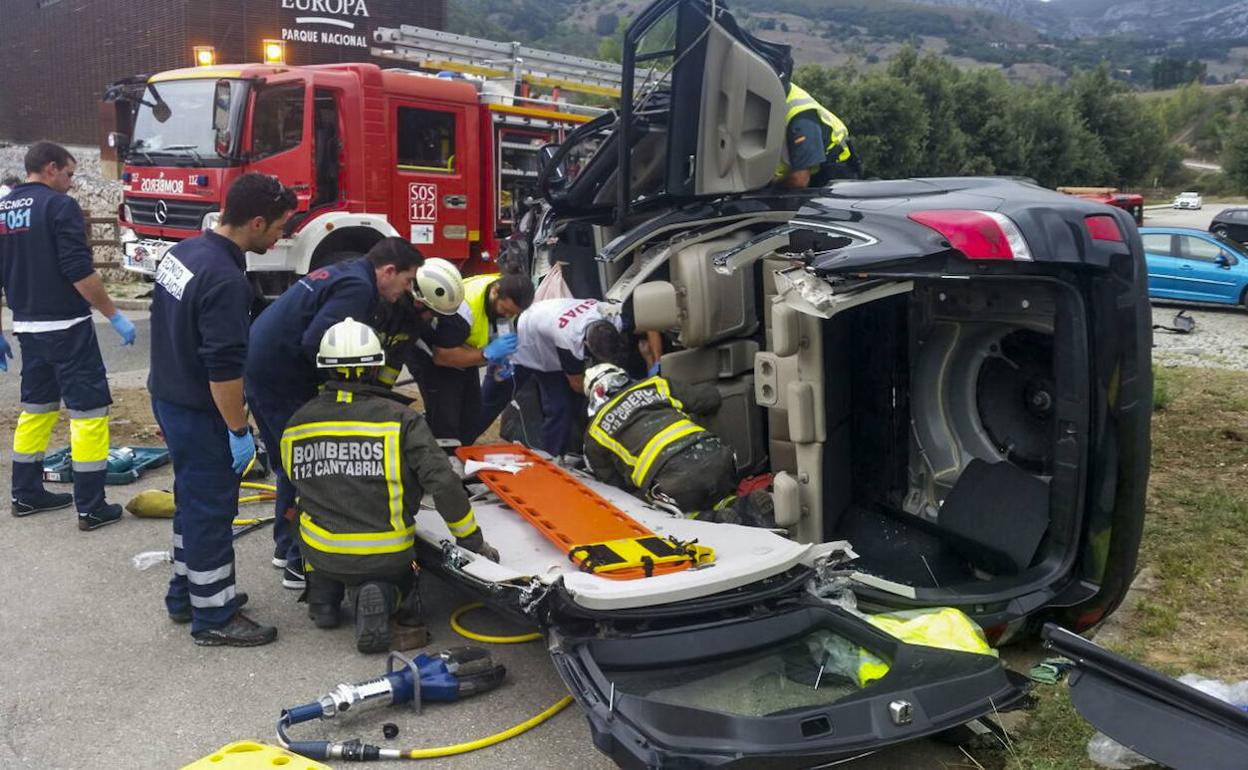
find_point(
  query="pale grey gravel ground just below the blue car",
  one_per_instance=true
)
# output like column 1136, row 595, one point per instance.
column 1220, row 340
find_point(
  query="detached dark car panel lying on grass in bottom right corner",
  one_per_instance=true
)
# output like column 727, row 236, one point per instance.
column 1151, row 714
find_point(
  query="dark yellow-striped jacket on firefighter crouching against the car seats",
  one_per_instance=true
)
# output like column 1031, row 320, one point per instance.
column 645, row 426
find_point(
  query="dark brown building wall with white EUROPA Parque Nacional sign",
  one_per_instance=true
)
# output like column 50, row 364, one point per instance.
column 59, row 56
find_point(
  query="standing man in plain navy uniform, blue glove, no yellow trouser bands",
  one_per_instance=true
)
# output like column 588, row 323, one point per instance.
column 200, row 318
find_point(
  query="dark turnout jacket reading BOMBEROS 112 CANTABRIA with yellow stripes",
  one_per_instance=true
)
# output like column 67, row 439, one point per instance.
column 361, row 462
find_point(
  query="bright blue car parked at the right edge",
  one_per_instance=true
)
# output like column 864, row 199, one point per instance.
column 1196, row 266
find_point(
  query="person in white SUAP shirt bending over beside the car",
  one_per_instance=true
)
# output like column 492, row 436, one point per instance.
column 556, row 338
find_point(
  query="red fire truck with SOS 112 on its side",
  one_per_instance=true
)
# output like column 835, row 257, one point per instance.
column 370, row 152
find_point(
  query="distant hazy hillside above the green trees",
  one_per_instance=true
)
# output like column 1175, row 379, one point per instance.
column 1029, row 41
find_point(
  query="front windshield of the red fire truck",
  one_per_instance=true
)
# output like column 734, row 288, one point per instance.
column 175, row 119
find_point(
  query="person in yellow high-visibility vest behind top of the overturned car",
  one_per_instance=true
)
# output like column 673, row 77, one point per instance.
column 817, row 145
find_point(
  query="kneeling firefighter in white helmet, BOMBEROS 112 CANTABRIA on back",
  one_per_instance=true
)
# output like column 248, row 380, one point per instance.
column 361, row 462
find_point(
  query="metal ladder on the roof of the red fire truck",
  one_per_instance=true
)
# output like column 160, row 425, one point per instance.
column 526, row 67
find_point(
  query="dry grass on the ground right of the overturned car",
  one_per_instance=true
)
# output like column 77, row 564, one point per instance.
column 1196, row 536
